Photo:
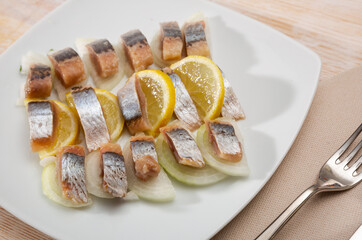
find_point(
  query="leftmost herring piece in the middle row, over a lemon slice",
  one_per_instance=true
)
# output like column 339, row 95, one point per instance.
column 41, row 116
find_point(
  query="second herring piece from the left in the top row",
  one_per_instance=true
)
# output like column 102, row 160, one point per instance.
column 68, row 67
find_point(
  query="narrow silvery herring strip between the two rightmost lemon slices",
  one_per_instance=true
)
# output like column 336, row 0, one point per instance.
column 185, row 109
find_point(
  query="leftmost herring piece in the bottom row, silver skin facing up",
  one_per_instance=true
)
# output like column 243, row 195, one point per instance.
column 73, row 177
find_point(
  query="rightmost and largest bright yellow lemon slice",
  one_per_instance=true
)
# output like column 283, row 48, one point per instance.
column 203, row 80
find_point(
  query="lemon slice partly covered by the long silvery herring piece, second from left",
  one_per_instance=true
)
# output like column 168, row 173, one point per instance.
column 111, row 111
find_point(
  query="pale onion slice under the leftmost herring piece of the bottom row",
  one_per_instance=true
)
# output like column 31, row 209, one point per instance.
column 52, row 190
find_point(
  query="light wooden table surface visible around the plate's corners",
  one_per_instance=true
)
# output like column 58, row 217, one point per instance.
column 332, row 28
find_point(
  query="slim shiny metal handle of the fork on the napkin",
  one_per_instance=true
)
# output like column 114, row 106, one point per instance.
column 284, row 217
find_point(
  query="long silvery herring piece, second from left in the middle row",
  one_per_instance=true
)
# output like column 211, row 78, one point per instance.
column 91, row 117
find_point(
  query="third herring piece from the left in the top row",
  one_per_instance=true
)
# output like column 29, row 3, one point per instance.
column 103, row 57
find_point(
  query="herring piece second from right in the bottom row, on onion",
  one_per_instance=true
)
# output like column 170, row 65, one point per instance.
column 183, row 145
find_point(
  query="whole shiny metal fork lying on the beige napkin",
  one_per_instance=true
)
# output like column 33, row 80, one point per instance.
column 335, row 175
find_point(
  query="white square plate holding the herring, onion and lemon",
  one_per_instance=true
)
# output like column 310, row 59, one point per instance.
column 275, row 79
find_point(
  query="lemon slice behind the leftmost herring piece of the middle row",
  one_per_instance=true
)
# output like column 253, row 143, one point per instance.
column 66, row 130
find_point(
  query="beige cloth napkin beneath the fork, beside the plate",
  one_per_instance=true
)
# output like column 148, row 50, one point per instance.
column 335, row 113
